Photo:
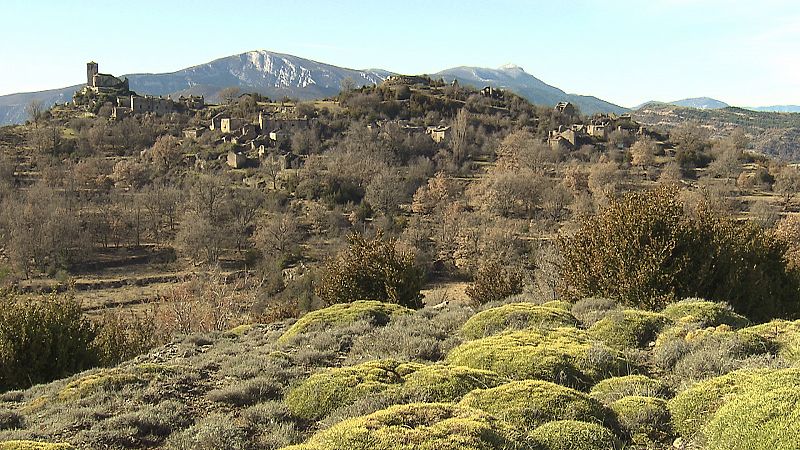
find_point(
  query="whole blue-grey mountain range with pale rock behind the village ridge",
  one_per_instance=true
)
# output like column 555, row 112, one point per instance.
column 277, row 75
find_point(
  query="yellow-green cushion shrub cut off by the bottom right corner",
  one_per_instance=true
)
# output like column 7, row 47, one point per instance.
column 758, row 419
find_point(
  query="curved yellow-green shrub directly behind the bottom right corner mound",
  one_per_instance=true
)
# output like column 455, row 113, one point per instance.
column 693, row 408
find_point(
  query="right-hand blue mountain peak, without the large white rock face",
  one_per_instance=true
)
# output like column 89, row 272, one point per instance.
column 515, row 79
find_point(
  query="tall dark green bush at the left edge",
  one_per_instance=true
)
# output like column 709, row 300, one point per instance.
column 43, row 339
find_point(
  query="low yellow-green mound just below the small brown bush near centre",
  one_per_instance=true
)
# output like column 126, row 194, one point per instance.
column 515, row 316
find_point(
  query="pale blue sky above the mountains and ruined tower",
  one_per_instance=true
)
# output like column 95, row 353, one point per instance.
column 743, row 52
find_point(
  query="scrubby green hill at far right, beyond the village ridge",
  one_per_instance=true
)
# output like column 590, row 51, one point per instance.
column 773, row 133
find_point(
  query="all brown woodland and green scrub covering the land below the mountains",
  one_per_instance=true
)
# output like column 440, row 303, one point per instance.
column 387, row 289
